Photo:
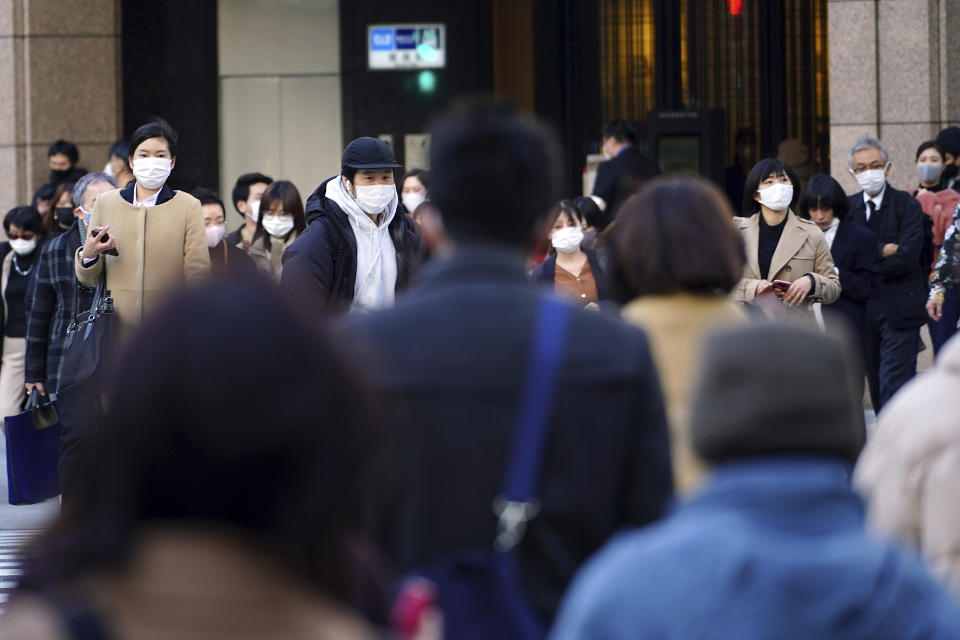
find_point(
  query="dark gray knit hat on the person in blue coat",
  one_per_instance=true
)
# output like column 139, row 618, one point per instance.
column 775, row 389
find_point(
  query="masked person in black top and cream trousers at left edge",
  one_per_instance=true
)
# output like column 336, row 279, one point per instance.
column 18, row 256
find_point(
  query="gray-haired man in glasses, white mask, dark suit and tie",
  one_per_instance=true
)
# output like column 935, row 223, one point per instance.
column 894, row 316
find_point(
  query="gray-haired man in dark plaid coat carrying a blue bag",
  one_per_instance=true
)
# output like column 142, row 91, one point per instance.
column 50, row 301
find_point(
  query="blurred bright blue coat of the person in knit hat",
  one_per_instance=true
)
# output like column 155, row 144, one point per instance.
column 771, row 548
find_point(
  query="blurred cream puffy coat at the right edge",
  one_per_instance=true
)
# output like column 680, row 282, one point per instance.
column 909, row 472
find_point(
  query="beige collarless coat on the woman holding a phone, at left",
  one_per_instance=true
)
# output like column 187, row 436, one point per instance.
column 160, row 247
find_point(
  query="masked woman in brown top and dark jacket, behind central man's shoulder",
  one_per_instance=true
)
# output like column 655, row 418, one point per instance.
column 571, row 271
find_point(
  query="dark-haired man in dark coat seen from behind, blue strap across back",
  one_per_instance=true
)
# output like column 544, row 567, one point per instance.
column 453, row 355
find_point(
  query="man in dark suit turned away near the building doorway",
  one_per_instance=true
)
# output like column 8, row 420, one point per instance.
column 624, row 172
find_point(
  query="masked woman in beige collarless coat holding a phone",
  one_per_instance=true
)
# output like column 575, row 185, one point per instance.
column 158, row 234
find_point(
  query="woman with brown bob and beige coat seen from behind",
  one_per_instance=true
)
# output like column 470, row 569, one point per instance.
column 677, row 256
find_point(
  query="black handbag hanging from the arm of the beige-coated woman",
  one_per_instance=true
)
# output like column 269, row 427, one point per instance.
column 88, row 342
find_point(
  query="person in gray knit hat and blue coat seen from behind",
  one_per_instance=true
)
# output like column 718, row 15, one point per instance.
column 774, row 546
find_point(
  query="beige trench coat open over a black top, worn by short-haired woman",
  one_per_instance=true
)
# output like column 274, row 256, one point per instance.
column 802, row 249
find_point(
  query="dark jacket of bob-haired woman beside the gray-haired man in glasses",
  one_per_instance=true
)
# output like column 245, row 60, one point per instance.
column 855, row 253
